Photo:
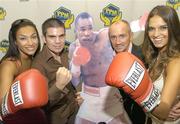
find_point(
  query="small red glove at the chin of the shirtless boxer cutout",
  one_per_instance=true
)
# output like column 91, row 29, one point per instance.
column 81, row 56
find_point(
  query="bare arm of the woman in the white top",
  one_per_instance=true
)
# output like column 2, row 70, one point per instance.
column 170, row 90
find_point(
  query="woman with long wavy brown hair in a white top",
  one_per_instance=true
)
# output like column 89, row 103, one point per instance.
column 161, row 48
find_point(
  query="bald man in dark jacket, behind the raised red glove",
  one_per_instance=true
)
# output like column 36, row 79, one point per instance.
column 121, row 37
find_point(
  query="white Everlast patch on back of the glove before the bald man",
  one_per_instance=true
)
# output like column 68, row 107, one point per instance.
column 135, row 75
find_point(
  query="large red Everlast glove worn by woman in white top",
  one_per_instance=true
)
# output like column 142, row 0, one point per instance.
column 128, row 72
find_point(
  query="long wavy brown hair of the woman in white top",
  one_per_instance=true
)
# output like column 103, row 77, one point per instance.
column 158, row 61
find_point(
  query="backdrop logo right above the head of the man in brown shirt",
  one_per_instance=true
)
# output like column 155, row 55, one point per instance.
column 65, row 16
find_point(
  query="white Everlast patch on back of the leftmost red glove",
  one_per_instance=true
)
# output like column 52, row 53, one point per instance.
column 16, row 94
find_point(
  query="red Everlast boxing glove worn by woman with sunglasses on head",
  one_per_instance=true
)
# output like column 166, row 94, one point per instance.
column 28, row 90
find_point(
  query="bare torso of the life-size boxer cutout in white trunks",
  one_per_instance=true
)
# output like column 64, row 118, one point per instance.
column 94, row 71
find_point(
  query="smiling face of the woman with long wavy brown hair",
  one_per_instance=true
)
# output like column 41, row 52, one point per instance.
column 158, row 32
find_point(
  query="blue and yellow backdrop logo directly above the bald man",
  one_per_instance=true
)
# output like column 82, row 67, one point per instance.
column 110, row 14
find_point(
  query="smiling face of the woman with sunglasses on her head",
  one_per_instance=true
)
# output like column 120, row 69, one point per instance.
column 27, row 40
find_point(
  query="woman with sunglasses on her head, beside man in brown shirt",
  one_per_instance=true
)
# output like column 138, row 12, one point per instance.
column 24, row 43
